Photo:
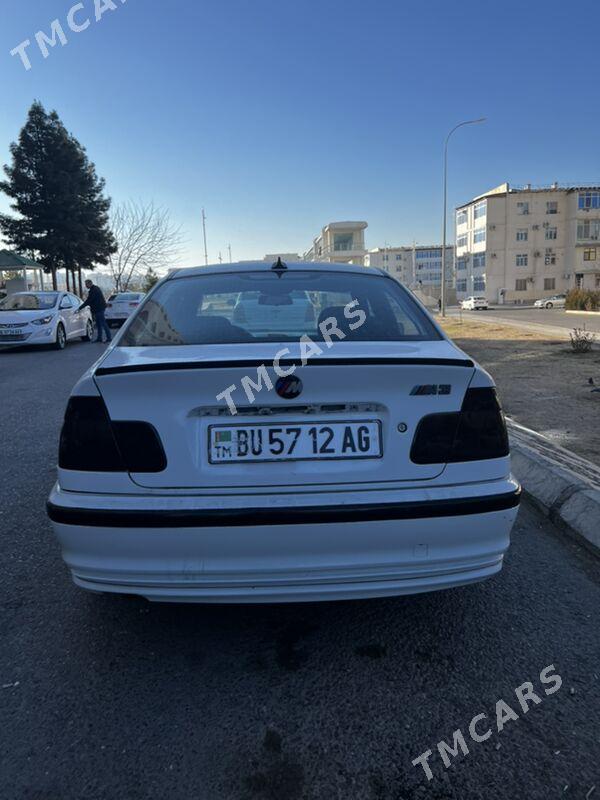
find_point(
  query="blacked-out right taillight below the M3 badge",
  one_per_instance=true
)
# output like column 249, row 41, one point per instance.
column 475, row 433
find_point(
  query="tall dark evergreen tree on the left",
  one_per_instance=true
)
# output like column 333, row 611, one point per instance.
column 62, row 213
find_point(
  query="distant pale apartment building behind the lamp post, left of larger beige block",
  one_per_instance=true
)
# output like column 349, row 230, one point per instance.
column 419, row 266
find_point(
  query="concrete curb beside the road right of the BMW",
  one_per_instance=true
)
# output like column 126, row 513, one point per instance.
column 564, row 486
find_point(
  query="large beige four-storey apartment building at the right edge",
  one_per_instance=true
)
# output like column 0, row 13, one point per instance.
column 515, row 245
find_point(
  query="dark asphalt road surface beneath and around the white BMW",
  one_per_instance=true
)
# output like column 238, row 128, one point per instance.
column 114, row 698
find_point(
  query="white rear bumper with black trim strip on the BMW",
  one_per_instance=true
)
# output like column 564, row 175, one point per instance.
column 177, row 551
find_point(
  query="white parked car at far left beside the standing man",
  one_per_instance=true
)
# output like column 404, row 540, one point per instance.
column 50, row 318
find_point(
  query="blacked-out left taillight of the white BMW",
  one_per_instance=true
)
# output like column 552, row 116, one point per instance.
column 91, row 442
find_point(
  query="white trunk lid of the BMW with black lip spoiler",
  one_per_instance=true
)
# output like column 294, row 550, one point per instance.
column 176, row 388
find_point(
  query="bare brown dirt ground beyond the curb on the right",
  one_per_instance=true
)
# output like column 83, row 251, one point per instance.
column 542, row 383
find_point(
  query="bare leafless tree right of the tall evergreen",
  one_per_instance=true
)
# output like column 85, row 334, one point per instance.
column 146, row 239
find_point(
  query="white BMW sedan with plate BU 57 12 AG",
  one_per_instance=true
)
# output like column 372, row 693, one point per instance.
column 361, row 455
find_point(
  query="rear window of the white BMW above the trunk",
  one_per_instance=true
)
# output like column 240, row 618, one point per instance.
column 247, row 307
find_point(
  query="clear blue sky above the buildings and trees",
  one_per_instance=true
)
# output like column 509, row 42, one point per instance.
column 280, row 116
